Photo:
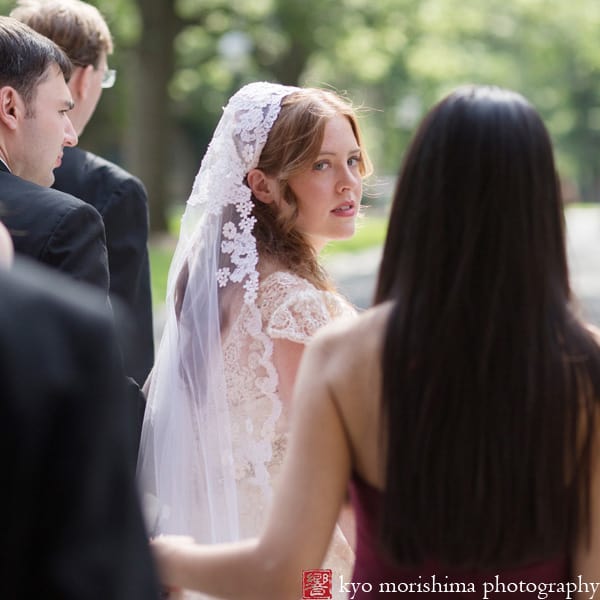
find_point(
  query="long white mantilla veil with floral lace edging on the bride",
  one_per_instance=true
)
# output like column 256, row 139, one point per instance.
column 185, row 469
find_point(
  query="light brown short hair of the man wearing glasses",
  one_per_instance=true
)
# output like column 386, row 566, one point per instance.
column 77, row 27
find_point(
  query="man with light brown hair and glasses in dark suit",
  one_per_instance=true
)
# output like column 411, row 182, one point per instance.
column 81, row 31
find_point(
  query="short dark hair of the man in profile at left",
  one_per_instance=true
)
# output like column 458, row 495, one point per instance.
column 26, row 56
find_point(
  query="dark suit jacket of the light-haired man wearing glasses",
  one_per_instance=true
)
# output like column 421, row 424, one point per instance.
column 121, row 200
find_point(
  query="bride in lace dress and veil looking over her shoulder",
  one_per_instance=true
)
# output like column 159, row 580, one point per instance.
column 281, row 177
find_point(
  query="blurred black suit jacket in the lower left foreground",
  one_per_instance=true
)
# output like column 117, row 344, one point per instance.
column 72, row 525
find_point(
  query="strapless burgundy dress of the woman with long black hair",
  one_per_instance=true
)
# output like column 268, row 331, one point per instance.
column 374, row 575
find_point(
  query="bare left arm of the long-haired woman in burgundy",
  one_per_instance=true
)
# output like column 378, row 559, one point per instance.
column 307, row 502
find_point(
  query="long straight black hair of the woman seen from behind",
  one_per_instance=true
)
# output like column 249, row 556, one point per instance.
column 481, row 392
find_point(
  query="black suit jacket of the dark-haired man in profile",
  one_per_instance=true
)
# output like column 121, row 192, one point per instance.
column 54, row 228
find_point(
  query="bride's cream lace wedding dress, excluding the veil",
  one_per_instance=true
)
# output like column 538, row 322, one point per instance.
column 290, row 308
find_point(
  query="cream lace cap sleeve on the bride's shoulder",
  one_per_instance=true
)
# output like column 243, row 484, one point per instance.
column 294, row 309
